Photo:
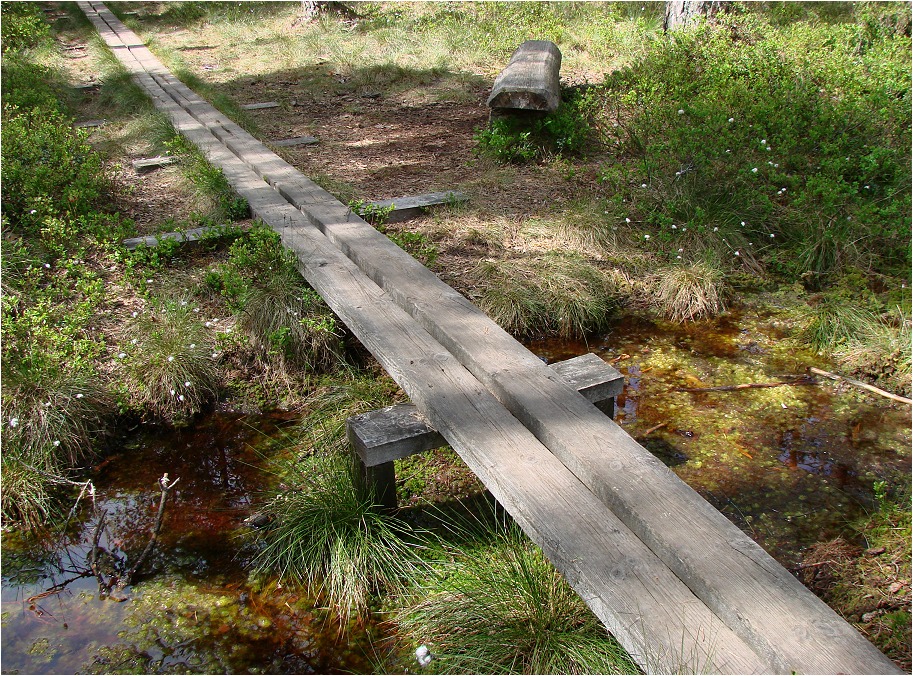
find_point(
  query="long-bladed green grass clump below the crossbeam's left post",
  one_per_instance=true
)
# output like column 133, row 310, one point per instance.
column 328, row 534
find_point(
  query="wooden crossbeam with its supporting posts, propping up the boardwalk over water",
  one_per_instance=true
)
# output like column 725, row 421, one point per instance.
column 382, row 436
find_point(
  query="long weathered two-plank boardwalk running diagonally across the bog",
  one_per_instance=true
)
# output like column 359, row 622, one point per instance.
column 681, row 587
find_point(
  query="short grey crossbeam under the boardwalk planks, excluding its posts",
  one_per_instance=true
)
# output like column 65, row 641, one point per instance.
column 396, row 432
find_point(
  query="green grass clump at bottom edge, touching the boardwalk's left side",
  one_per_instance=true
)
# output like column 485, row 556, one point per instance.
column 500, row 608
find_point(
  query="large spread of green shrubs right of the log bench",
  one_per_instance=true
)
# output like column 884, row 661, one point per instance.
column 787, row 139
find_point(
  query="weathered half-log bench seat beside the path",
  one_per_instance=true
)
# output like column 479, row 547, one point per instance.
column 530, row 80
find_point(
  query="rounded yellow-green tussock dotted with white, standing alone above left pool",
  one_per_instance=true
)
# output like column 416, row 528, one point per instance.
column 170, row 365
